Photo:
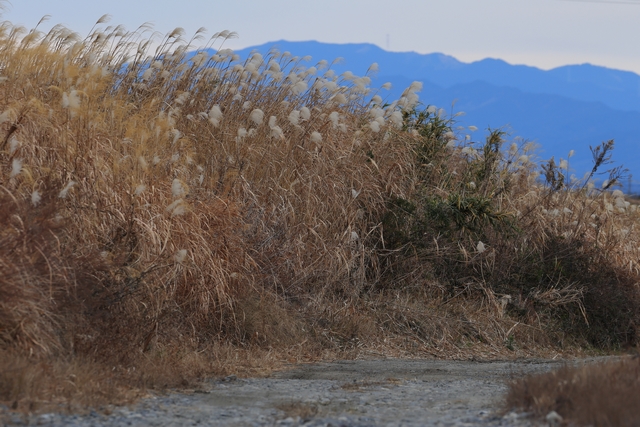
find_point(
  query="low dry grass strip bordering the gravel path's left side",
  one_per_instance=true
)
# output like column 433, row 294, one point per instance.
column 77, row 383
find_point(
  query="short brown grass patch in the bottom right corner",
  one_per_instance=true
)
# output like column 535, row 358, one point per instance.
column 603, row 394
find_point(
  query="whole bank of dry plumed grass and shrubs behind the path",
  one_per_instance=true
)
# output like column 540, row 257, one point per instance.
column 217, row 215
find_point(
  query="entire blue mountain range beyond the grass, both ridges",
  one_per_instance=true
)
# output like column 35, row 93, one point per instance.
column 566, row 108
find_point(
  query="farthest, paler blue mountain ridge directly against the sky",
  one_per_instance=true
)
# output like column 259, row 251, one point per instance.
column 617, row 89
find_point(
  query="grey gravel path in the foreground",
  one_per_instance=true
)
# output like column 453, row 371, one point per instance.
column 346, row 393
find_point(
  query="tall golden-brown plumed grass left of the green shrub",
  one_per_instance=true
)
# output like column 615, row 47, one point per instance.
column 181, row 190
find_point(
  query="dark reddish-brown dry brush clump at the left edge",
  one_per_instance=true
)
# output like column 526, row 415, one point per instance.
column 33, row 274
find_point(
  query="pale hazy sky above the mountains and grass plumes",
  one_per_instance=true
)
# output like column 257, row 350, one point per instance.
column 541, row 33
